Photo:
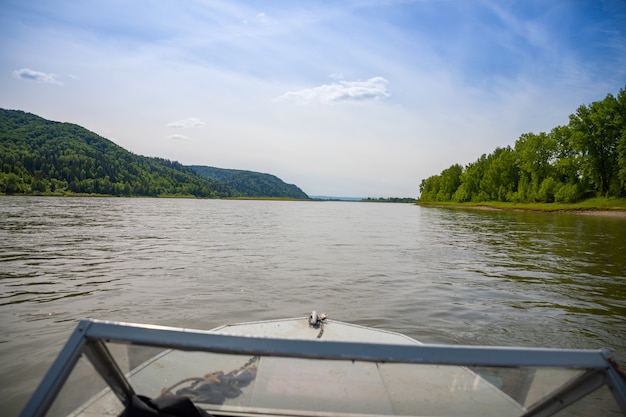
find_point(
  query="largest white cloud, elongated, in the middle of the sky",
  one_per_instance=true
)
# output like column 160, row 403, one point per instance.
column 372, row 89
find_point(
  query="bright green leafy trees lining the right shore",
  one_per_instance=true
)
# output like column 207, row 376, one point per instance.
column 585, row 158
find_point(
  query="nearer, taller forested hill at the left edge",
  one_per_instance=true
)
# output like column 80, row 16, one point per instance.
column 39, row 156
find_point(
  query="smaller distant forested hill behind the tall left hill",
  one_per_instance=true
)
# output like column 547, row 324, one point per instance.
column 251, row 184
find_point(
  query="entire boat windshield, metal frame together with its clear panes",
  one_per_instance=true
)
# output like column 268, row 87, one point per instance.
column 233, row 375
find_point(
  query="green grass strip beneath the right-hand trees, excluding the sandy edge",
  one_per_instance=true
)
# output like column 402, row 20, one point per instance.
column 597, row 204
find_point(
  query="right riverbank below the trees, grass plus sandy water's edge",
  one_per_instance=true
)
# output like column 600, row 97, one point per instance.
column 606, row 207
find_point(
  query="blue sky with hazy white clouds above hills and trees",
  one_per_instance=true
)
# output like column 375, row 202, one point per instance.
column 342, row 98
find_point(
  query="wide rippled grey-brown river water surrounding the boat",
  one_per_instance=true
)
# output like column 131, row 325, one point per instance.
column 438, row 275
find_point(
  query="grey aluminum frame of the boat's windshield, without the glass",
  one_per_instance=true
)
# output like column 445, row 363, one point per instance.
column 89, row 337
